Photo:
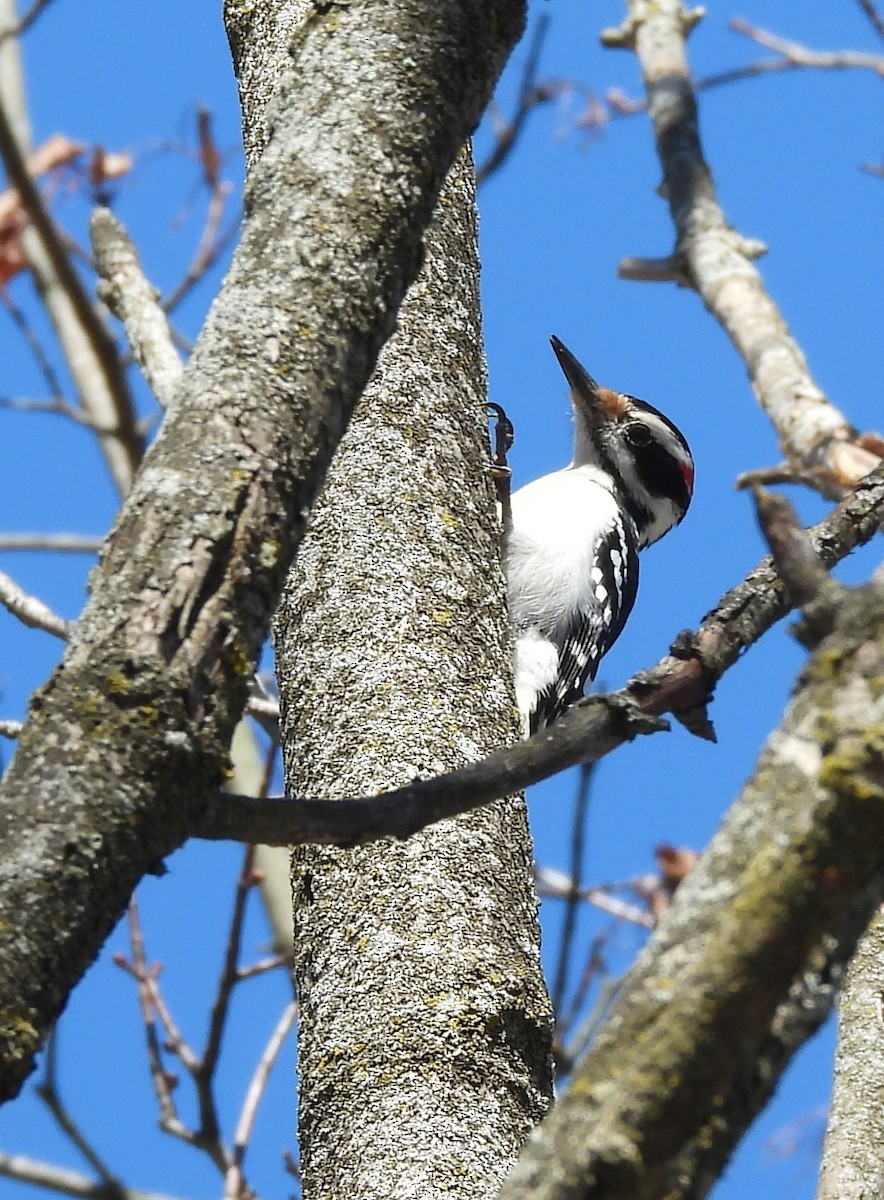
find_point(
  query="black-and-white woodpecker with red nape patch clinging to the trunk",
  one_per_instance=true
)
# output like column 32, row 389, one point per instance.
column 573, row 542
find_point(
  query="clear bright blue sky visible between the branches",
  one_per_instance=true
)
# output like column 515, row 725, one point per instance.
column 786, row 154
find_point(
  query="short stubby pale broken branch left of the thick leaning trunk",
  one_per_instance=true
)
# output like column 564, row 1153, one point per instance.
column 128, row 293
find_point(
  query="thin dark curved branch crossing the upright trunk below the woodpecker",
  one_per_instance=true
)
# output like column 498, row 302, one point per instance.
column 679, row 683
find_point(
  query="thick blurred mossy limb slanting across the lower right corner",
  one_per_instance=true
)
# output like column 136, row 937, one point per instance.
column 747, row 962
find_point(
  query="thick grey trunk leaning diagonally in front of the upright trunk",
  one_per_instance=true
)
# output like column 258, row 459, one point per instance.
column 365, row 110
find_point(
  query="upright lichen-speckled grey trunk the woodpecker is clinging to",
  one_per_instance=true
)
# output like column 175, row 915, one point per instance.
column 426, row 1028
